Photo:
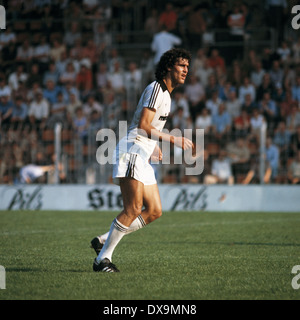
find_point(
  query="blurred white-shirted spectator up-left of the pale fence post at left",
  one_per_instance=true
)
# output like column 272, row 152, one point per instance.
column 38, row 111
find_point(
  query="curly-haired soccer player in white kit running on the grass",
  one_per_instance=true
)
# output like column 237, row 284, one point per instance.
column 132, row 170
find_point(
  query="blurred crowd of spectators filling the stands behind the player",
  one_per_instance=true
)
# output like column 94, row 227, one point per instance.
column 61, row 62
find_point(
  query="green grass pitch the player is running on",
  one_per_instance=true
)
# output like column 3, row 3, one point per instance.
column 183, row 255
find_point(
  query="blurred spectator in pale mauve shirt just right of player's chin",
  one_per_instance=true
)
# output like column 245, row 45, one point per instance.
column 195, row 94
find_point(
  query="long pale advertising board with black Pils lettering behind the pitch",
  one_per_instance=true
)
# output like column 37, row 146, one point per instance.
column 174, row 197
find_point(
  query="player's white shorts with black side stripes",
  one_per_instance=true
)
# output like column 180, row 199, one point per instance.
column 134, row 166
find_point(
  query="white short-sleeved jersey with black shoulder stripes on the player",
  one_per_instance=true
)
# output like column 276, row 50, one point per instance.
column 156, row 96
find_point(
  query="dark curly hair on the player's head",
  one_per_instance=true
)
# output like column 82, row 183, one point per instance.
column 168, row 60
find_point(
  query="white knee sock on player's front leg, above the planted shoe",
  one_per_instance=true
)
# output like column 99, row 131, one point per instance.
column 116, row 233
